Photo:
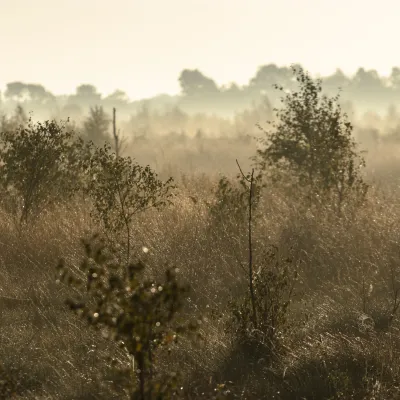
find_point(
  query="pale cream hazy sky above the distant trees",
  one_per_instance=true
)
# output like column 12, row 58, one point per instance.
column 141, row 46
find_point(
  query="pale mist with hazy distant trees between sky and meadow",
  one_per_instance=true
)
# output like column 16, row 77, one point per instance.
column 153, row 127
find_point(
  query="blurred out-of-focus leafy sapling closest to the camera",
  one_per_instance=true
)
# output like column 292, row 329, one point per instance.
column 137, row 313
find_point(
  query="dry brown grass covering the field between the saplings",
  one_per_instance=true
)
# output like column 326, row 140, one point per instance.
column 340, row 341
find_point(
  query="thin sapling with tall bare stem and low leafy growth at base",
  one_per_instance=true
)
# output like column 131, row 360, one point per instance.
column 263, row 310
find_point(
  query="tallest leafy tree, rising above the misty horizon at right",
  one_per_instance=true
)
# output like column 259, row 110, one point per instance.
column 312, row 140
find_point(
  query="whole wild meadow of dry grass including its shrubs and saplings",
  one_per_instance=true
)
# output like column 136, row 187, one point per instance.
column 259, row 266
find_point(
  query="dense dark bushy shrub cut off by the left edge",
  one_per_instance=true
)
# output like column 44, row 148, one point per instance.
column 39, row 162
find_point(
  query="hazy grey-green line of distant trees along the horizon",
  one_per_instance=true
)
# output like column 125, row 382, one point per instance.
column 200, row 93
